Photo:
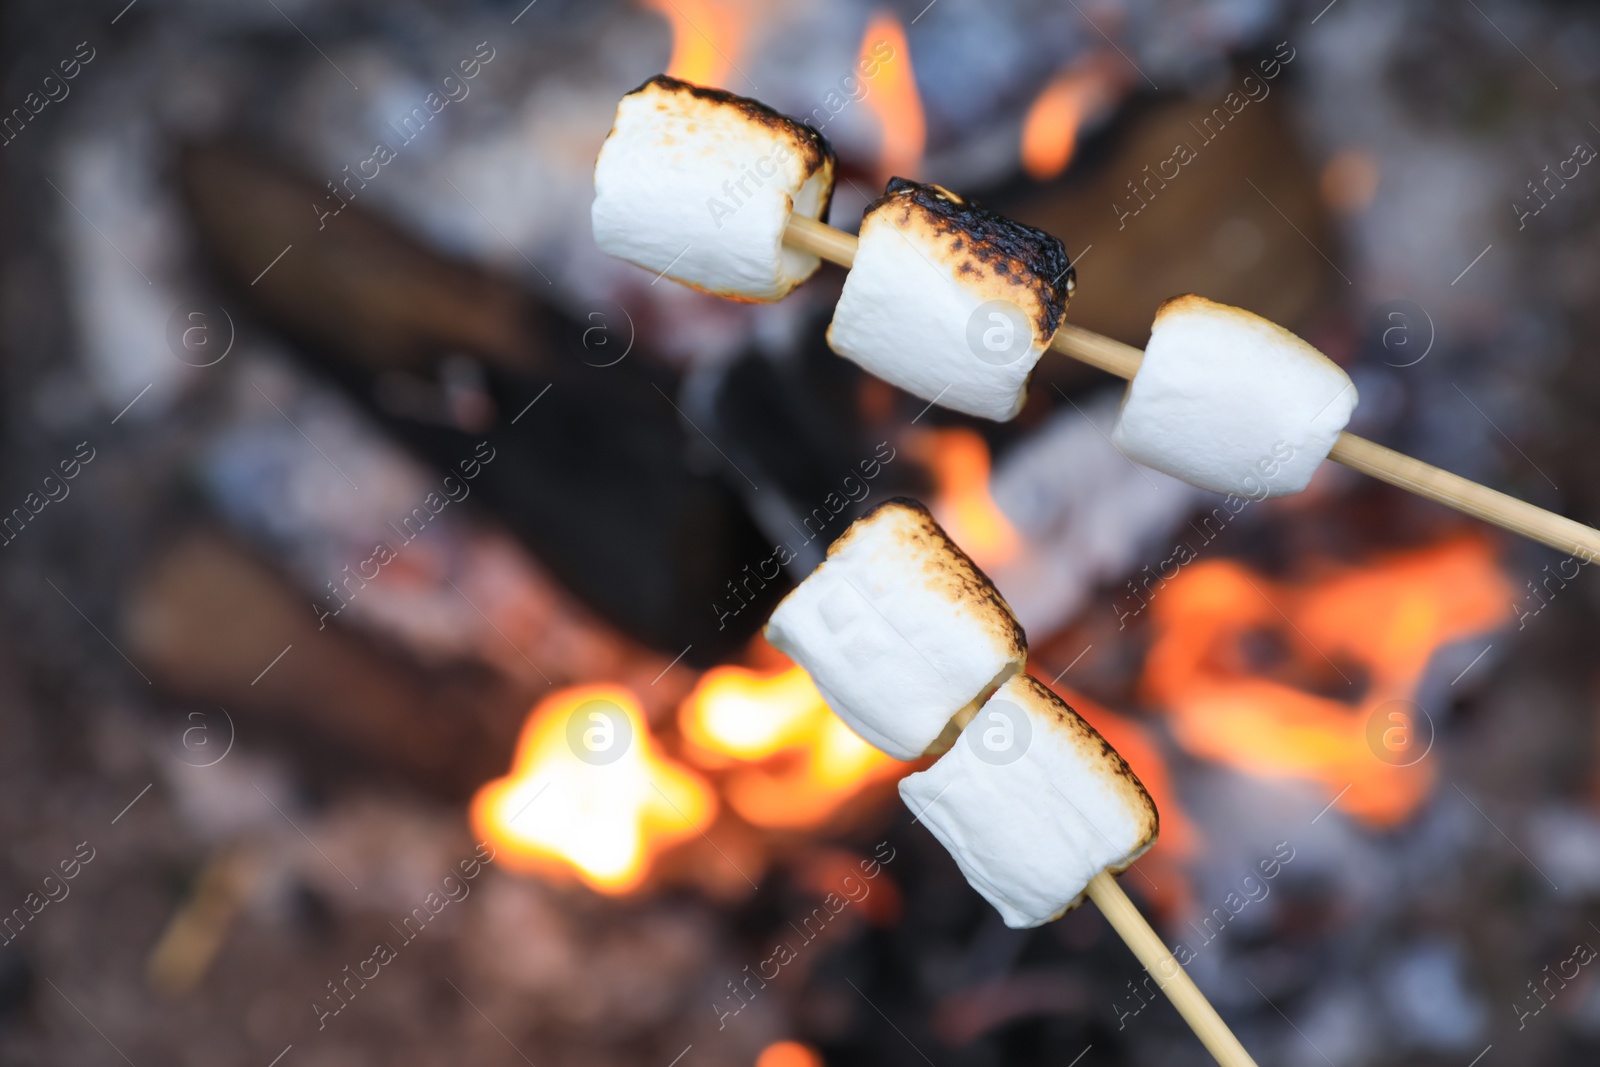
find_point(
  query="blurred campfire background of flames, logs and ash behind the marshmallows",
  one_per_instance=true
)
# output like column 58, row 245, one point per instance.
column 383, row 479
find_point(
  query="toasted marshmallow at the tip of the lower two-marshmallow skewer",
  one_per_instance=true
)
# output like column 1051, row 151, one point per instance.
column 898, row 629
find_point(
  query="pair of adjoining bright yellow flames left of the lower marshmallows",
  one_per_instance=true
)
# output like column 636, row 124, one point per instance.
column 594, row 791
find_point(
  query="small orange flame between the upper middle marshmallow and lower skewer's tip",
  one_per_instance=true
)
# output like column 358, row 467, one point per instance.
column 959, row 462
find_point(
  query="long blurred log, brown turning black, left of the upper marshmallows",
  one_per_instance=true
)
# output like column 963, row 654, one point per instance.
column 650, row 551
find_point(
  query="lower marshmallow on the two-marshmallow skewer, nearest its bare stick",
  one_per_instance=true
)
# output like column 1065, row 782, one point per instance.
column 1033, row 804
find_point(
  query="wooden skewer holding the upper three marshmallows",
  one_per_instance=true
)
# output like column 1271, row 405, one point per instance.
column 1358, row 454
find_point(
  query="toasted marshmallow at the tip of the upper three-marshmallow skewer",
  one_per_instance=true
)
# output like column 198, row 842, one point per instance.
column 698, row 185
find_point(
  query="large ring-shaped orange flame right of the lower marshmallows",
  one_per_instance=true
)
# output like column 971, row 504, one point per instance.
column 1318, row 719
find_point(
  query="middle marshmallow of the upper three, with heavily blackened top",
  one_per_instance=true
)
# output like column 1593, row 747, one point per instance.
column 950, row 302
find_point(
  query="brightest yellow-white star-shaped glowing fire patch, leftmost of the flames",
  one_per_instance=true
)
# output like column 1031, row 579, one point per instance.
column 590, row 794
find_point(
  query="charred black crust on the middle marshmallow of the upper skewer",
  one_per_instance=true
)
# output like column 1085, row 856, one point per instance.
column 1006, row 246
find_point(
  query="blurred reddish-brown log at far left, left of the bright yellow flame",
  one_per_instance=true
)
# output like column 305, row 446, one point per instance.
column 367, row 708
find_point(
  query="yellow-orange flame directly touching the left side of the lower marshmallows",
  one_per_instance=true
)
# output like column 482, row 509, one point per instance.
column 794, row 762
